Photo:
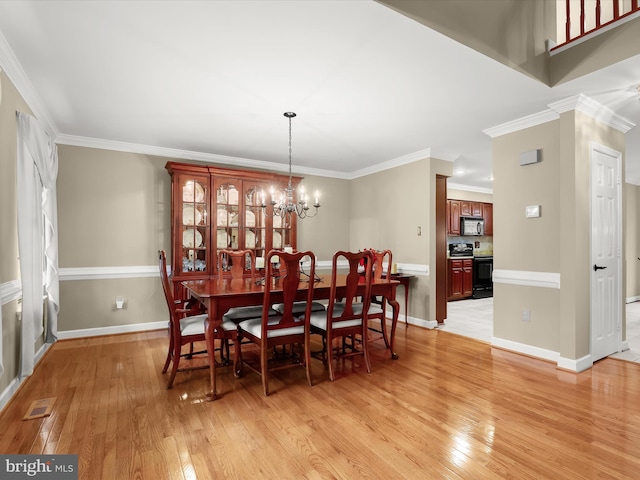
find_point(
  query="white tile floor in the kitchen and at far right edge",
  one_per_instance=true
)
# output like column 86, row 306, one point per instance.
column 474, row 318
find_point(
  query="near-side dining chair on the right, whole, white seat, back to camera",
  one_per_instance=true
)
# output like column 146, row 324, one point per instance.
column 347, row 318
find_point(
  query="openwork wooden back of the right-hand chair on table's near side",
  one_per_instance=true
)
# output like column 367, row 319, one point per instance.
column 354, row 279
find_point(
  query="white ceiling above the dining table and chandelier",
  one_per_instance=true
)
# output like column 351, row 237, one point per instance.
column 211, row 79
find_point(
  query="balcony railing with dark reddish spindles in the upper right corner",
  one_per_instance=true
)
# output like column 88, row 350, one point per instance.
column 584, row 17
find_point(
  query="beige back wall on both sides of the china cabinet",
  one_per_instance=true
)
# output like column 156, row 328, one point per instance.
column 115, row 211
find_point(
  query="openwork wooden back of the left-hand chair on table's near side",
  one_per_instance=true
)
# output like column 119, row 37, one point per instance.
column 286, row 283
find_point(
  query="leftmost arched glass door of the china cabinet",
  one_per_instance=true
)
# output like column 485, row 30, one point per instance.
column 193, row 220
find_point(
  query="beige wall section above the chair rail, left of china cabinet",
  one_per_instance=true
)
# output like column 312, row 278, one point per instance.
column 114, row 207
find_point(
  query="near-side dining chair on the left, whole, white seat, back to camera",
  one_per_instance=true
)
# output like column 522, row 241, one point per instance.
column 286, row 328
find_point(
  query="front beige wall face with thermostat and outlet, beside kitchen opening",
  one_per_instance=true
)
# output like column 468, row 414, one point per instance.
column 527, row 244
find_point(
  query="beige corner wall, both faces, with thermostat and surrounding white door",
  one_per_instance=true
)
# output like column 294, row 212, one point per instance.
column 557, row 242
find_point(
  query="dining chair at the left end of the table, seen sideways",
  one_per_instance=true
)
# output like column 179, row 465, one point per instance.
column 186, row 326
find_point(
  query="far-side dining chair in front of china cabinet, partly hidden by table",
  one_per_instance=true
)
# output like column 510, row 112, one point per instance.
column 237, row 265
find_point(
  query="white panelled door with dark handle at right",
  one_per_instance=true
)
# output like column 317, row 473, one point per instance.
column 606, row 245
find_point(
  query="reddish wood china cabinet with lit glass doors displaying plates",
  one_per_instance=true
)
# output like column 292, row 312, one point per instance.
column 217, row 208
